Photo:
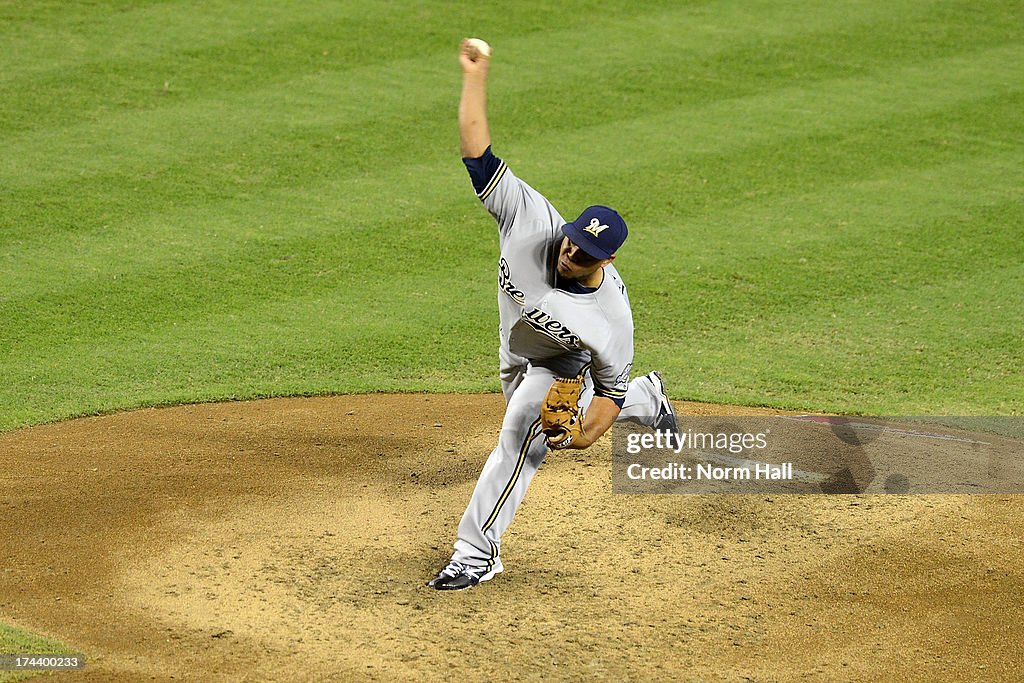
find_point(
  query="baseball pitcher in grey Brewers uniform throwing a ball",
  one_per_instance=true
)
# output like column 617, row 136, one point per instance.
column 566, row 346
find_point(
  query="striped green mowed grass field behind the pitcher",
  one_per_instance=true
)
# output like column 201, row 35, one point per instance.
column 235, row 200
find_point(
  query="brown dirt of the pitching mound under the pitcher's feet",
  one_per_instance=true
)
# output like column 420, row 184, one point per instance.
column 289, row 540
